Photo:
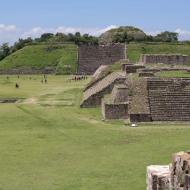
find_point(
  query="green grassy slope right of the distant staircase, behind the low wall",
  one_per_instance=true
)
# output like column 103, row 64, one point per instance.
column 136, row 49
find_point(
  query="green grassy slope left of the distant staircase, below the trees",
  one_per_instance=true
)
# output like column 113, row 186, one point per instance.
column 61, row 57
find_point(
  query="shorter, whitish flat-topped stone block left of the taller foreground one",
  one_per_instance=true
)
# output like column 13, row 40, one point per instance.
column 158, row 178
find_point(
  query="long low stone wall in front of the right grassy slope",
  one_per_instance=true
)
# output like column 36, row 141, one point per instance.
column 164, row 58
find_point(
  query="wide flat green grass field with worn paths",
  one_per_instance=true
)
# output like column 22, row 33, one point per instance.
column 48, row 143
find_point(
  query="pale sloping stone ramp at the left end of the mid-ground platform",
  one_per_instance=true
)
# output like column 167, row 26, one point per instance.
column 93, row 95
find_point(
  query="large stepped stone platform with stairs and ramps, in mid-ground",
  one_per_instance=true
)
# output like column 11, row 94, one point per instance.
column 141, row 99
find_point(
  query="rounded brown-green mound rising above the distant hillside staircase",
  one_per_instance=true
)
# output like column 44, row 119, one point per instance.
column 132, row 32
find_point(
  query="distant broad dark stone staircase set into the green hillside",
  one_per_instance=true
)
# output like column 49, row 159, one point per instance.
column 90, row 57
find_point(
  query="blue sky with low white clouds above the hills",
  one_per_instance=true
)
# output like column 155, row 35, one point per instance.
column 21, row 18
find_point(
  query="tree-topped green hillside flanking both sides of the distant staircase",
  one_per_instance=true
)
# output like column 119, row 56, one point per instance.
column 59, row 51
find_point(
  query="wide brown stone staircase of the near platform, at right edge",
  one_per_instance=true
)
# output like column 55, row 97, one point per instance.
column 169, row 99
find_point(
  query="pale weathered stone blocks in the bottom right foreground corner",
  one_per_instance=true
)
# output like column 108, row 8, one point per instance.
column 175, row 176
